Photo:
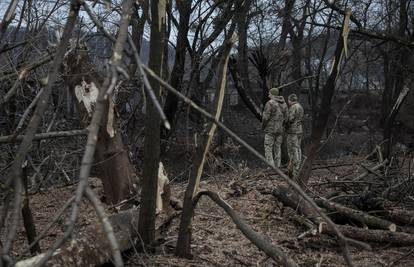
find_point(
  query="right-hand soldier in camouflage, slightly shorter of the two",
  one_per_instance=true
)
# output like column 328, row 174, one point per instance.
column 294, row 132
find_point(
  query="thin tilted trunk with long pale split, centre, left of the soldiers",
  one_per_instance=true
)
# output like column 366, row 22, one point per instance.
column 183, row 248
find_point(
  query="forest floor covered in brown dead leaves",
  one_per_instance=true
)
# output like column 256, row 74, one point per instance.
column 216, row 240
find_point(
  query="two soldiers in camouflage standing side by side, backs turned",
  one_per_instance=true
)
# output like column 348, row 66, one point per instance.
column 278, row 119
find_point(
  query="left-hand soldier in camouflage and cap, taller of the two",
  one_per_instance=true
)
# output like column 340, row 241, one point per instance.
column 273, row 119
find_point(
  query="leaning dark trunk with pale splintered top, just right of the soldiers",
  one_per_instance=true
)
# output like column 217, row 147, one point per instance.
column 320, row 121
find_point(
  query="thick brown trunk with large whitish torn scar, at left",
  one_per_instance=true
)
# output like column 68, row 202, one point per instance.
column 113, row 164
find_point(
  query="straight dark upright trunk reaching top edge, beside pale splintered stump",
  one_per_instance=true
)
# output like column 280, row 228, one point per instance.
column 146, row 225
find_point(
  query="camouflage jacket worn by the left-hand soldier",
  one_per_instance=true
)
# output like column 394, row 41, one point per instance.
column 274, row 115
